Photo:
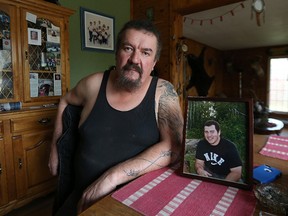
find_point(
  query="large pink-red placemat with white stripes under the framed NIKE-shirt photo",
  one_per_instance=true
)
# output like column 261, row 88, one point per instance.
column 163, row 192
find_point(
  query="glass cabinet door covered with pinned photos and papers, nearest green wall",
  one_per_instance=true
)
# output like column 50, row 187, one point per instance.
column 43, row 56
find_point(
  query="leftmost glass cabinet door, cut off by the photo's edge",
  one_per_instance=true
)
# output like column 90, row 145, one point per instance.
column 8, row 74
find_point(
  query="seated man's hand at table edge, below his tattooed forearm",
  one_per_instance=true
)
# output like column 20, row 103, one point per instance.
column 98, row 189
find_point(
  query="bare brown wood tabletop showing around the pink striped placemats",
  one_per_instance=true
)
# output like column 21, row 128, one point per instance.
column 111, row 207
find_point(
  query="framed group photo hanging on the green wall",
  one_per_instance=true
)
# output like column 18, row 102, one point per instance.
column 97, row 31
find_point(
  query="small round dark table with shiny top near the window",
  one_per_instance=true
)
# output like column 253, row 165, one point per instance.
column 272, row 126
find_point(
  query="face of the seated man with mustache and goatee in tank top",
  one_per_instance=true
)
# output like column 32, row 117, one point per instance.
column 136, row 58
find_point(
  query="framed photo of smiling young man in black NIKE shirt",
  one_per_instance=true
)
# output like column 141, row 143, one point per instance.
column 218, row 141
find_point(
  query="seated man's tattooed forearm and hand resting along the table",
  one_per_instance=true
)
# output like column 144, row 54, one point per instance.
column 155, row 157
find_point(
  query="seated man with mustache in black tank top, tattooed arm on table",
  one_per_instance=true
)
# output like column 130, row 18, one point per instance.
column 131, row 123
